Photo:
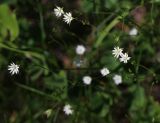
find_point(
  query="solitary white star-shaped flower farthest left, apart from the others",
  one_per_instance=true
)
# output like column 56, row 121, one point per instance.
column 13, row 68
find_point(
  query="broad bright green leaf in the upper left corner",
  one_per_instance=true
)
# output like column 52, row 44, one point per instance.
column 8, row 22
